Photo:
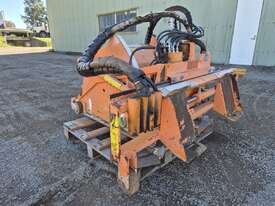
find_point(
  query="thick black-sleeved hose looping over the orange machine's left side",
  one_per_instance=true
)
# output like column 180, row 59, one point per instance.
column 87, row 66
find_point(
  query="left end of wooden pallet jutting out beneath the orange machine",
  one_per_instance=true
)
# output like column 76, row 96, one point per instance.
column 93, row 134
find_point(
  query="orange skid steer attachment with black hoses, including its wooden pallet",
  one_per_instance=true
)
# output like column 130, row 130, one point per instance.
column 148, row 104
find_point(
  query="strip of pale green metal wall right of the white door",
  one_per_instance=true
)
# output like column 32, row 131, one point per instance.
column 265, row 46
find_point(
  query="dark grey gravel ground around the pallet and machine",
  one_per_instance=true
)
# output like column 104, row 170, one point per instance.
column 39, row 167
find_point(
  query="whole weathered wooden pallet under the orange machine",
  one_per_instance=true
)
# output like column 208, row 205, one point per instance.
column 97, row 138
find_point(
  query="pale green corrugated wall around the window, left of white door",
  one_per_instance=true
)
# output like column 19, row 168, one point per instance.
column 74, row 23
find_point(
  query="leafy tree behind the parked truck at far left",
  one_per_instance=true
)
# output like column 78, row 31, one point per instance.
column 35, row 13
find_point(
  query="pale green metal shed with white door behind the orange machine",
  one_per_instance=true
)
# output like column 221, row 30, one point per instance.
column 74, row 24
